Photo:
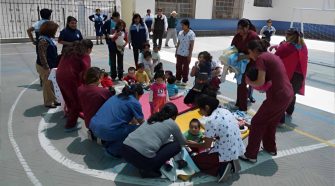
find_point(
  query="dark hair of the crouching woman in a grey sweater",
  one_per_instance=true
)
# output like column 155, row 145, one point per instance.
column 168, row 111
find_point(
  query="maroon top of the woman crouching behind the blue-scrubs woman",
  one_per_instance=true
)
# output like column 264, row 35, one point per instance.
column 91, row 98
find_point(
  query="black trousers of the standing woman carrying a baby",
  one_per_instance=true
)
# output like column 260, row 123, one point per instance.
column 113, row 53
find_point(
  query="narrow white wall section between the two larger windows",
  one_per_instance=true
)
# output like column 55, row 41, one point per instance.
column 203, row 9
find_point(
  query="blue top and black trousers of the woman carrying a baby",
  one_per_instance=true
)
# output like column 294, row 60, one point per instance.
column 116, row 65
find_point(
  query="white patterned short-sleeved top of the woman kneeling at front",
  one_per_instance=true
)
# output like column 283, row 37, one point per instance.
column 223, row 125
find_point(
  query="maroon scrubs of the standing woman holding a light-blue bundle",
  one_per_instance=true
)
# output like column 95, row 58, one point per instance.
column 242, row 46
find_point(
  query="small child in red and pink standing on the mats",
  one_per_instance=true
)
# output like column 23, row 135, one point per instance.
column 158, row 94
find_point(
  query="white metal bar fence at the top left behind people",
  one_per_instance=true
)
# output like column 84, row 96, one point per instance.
column 18, row 15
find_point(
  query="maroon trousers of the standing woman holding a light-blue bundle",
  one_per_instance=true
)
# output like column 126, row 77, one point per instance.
column 242, row 95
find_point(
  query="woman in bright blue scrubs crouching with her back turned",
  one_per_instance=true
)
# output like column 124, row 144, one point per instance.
column 112, row 121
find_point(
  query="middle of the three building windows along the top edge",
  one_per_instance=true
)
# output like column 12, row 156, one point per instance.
column 227, row 9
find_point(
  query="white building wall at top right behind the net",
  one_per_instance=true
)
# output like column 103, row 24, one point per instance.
column 282, row 10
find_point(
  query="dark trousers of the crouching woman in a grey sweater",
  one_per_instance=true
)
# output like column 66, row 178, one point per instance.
column 166, row 152
